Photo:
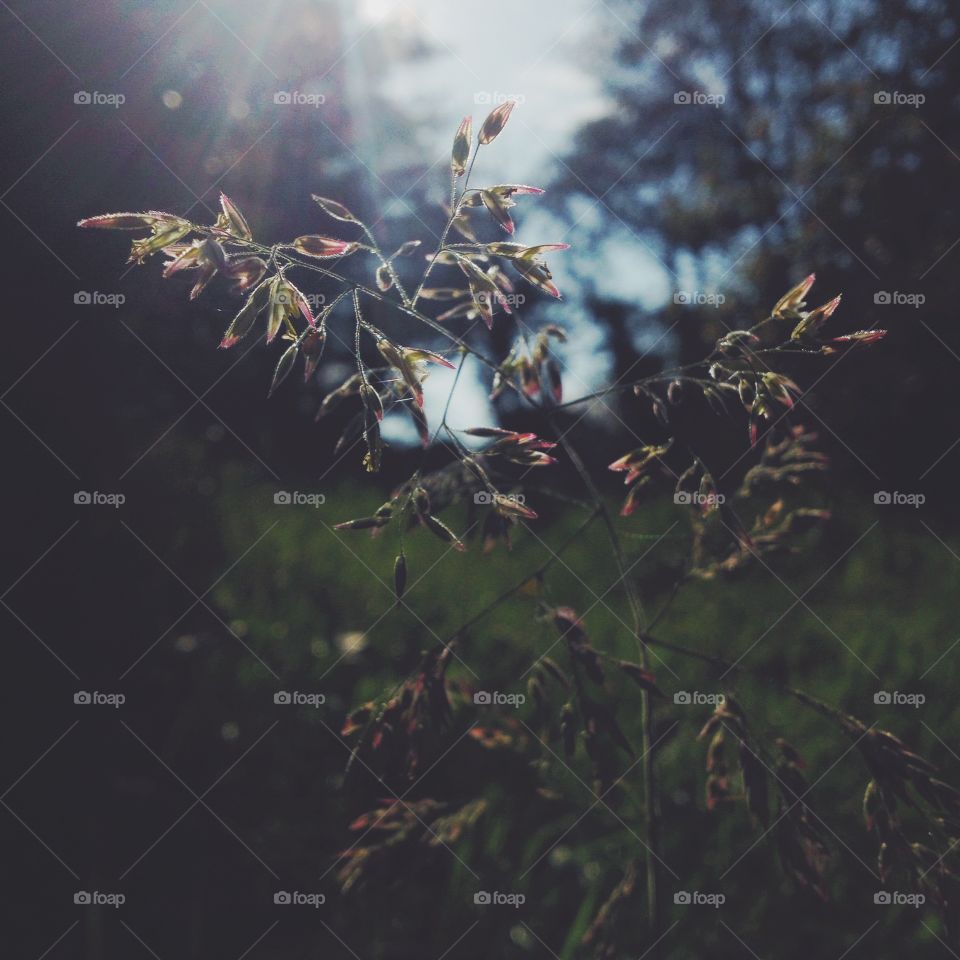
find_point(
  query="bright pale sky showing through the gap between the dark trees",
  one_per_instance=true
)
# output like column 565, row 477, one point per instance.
column 544, row 54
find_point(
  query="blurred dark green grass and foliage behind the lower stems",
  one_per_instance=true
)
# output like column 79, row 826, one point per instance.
column 318, row 606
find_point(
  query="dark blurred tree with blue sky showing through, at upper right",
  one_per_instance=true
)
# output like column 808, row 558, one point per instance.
column 834, row 145
